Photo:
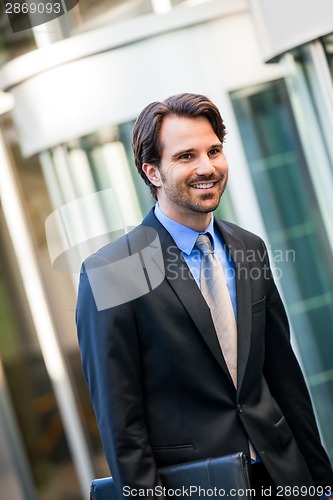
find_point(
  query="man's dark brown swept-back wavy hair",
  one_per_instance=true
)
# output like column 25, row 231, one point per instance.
column 146, row 142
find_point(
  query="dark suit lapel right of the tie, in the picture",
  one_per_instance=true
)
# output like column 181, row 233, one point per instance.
column 238, row 254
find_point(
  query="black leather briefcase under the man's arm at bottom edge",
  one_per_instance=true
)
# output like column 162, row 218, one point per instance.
column 226, row 476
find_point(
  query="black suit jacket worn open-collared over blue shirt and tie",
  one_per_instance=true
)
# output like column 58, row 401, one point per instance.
column 159, row 385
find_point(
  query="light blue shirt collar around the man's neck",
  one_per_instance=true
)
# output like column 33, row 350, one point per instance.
column 184, row 237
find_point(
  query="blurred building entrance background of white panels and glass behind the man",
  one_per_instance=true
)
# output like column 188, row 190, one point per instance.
column 71, row 90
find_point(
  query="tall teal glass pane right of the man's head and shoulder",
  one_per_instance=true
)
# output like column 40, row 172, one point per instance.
column 299, row 245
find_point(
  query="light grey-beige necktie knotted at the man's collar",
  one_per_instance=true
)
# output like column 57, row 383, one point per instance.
column 215, row 291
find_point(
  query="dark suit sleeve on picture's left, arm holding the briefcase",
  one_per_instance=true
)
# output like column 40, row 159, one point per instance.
column 111, row 361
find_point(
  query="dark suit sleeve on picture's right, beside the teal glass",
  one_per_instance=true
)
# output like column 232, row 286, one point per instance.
column 288, row 387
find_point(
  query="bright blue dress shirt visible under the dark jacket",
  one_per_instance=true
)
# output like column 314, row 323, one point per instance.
column 185, row 239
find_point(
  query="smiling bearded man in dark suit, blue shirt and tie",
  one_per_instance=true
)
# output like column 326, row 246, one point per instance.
column 164, row 388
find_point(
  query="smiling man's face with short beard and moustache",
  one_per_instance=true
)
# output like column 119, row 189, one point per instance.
column 193, row 171
